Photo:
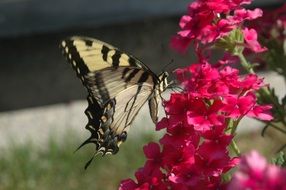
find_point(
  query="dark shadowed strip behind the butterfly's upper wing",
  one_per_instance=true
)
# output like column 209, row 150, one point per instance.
column 34, row 73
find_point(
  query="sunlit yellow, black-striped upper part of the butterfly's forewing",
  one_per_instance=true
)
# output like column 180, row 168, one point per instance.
column 90, row 55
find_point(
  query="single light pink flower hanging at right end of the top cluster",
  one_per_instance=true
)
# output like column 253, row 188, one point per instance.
column 250, row 37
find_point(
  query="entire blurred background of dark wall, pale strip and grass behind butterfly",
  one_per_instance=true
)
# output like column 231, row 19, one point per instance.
column 42, row 102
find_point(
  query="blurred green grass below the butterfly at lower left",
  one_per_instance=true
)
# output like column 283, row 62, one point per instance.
column 56, row 166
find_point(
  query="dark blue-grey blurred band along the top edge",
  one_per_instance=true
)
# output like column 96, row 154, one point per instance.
column 18, row 17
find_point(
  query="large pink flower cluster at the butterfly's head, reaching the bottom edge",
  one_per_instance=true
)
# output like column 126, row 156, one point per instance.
column 193, row 153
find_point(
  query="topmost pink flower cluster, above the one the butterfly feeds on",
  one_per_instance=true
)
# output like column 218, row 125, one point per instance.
column 209, row 20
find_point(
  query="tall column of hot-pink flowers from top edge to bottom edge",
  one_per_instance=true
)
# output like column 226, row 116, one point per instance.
column 199, row 122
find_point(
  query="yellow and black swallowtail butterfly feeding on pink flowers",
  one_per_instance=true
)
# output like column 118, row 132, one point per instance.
column 118, row 85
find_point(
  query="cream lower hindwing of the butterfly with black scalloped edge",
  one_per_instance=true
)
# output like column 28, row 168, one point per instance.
column 115, row 118
